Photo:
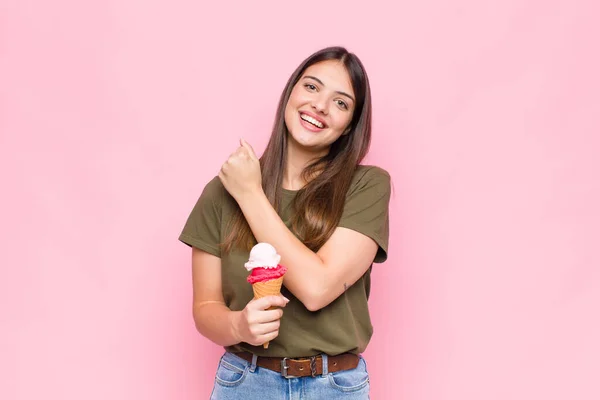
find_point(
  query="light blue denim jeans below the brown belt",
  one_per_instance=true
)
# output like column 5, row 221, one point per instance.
column 237, row 379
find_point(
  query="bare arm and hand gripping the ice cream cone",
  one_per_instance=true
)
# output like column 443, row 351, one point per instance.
column 215, row 321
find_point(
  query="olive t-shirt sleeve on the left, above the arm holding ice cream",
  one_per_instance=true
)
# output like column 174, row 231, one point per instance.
column 203, row 226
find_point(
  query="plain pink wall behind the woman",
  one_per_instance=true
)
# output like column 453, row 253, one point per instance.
column 114, row 114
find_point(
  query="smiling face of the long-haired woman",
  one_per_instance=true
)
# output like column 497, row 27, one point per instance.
column 320, row 107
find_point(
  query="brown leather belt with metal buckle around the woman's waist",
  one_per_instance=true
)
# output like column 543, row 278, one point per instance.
column 308, row 366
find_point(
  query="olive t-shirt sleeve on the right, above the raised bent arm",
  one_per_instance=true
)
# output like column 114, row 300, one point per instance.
column 366, row 208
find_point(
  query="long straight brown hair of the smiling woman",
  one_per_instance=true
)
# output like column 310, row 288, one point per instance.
column 318, row 206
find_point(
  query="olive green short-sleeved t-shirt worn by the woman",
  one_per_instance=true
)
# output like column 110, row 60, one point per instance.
column 342, row 326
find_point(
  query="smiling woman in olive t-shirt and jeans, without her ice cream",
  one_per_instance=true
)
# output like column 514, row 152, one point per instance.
column 326, row 215
